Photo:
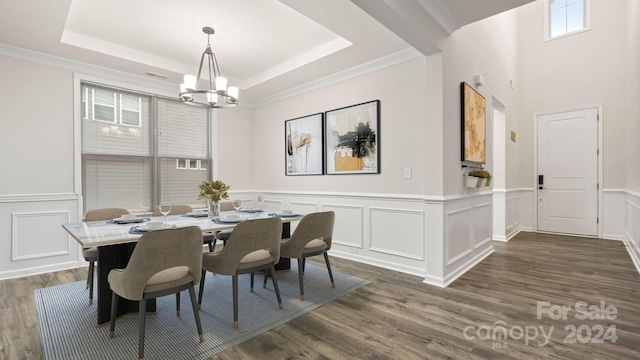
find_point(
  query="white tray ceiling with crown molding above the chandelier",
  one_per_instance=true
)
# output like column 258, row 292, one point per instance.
column 263, row 46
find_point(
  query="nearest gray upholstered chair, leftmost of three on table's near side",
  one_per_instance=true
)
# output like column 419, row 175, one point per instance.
column 163, row 262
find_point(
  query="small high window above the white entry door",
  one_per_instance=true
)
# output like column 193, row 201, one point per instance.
column 566, row 17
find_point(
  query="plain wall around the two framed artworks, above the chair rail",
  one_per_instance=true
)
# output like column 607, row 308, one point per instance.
column 404, row 133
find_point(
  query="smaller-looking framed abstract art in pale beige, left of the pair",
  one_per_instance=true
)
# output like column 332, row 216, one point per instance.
column 303, row 145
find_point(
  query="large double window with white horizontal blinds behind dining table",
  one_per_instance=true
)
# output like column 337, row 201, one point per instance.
column 135, row 145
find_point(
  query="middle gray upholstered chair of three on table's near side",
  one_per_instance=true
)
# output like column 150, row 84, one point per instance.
column 254, row 245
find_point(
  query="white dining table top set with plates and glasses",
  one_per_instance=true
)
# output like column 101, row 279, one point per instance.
column 101, row 233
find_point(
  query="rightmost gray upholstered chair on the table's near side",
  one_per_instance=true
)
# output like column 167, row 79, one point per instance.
column 311, row 237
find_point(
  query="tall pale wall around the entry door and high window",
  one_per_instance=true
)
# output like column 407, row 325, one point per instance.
column 588, row 68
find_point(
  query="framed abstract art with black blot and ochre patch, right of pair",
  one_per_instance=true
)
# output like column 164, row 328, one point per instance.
column 352, row 138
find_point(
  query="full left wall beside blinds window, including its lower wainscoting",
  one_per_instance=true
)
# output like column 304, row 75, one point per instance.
column 36, row 153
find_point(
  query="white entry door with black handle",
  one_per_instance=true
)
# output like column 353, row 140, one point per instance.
column 567, row 186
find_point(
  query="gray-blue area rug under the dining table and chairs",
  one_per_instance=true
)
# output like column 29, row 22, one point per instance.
column 68, row 329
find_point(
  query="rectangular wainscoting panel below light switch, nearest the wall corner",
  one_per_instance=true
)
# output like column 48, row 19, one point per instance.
column 403, row 238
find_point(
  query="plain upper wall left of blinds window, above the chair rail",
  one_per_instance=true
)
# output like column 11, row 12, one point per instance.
column 36, row 141
